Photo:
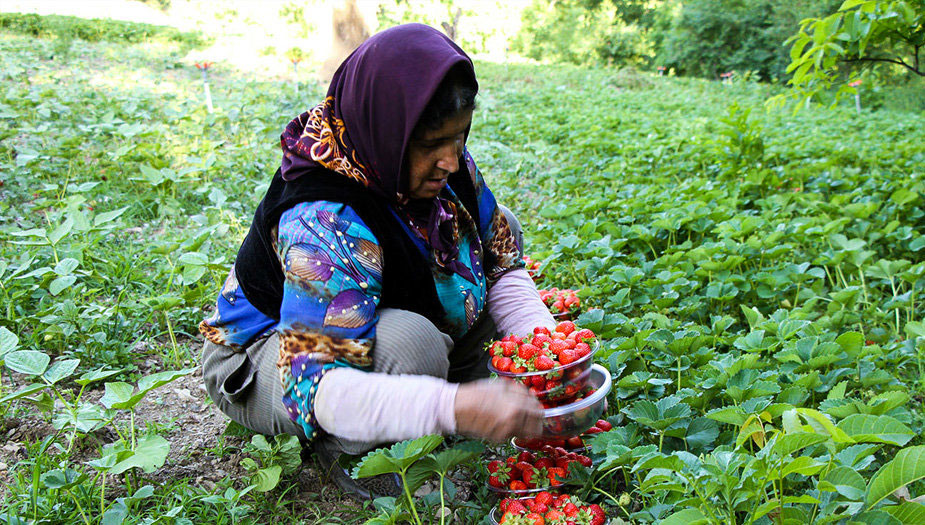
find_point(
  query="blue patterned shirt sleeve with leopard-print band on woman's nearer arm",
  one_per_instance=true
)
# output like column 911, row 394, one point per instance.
column 333, row 279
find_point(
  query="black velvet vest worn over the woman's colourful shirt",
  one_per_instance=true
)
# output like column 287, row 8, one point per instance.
column 407, row 278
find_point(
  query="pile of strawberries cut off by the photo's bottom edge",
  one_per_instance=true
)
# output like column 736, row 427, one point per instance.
column 548, row 509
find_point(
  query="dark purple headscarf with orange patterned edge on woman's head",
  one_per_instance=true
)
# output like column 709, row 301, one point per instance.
column 363, row 127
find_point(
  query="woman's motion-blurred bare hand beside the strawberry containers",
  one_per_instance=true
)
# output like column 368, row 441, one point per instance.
column 497, row 410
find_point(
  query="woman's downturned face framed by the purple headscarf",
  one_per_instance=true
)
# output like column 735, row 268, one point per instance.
column 434, row 155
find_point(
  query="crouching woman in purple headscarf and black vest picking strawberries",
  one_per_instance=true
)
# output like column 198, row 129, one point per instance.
column 376, row 267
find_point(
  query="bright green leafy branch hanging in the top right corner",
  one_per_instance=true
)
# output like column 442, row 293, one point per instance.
column 862, row 33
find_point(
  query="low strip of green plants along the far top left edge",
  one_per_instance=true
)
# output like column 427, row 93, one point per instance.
column 94, row 29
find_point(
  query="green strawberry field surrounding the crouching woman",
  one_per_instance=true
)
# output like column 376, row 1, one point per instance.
column 756, row 277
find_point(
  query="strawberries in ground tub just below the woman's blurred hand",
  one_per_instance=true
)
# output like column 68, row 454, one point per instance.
column 528, row 470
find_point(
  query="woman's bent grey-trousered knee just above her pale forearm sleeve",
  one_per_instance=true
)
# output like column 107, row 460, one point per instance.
column 408, row 343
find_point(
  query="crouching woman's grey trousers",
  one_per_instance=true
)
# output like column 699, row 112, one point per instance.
column 245, row 384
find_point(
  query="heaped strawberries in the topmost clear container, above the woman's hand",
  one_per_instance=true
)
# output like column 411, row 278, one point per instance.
column 549, row 351
